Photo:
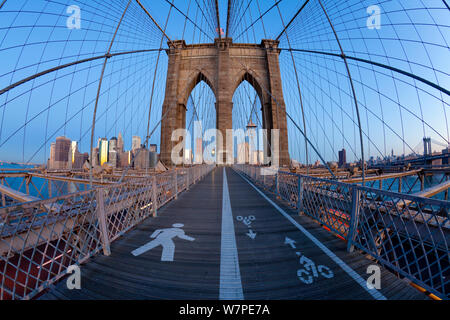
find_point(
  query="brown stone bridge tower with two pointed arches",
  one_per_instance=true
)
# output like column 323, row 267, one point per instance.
column 223, row 65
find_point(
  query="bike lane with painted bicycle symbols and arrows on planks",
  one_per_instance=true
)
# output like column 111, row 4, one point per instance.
column 279, row 261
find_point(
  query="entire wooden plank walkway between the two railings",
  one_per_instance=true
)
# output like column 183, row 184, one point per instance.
column 224, row 261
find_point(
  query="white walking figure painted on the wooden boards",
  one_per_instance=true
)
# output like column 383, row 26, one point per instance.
column 164, row 238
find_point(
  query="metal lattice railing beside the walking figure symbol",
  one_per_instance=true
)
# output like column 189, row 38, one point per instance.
column 40, row 240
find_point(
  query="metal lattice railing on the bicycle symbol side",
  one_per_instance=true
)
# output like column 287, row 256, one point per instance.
column 409, row 235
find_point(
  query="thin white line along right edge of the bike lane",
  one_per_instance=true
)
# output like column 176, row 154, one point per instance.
column 352, row 273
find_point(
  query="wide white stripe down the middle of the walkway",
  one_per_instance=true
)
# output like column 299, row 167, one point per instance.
column 230, row 275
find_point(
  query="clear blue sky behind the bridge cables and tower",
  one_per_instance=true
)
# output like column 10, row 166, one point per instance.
column 395, row 110
